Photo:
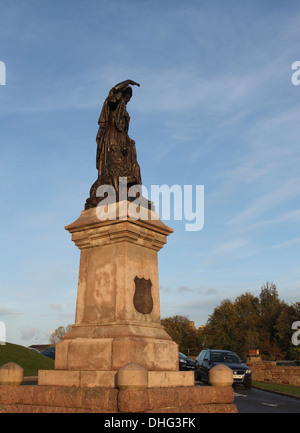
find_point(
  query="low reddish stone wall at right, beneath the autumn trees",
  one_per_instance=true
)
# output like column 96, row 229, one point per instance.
column 268, row 371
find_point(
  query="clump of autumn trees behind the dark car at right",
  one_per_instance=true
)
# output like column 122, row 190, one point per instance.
column 252, row 322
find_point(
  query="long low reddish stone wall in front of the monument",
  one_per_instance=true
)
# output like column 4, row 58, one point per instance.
column 58, row 399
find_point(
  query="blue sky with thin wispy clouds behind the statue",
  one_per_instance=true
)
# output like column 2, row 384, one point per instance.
column 216, row 107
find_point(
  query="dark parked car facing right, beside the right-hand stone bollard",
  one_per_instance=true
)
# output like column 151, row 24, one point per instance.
column 208, row 358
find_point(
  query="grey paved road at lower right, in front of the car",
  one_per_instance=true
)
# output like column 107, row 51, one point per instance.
column 256, row 401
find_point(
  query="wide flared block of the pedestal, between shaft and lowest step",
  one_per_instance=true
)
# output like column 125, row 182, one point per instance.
column 108, row 347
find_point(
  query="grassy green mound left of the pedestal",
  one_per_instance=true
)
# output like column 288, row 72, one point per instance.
column 29, row 359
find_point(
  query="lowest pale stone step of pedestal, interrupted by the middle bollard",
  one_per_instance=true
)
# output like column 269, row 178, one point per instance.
column 107, row 379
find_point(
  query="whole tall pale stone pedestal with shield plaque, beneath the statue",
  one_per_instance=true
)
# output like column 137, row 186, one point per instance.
column 118, row 308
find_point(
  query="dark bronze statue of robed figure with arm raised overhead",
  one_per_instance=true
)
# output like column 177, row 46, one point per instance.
column 116, row 152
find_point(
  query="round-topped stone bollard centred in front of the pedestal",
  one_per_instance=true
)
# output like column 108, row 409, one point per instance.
column 132, row 376
